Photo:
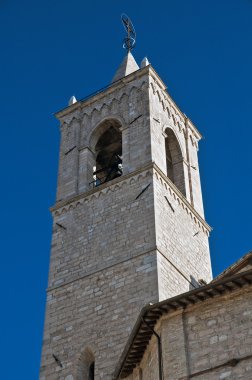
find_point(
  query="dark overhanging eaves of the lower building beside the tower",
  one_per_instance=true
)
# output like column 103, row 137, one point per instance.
column 141, row 334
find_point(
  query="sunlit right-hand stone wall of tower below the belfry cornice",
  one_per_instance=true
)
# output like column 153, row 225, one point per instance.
column 182, row 241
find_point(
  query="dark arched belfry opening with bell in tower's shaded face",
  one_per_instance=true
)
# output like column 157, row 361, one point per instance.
column 108, row 150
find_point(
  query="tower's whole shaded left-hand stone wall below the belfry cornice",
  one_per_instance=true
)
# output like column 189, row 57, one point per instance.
column 102, row 272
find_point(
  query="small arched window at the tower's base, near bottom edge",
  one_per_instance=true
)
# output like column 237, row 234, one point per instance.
column 86, row 365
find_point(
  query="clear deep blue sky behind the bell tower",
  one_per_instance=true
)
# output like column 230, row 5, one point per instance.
column 53, row 49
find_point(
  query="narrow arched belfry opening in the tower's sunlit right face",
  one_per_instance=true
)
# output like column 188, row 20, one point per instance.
column 174, row 161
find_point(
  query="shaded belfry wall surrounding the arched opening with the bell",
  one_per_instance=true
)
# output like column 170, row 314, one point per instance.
column 127, row 103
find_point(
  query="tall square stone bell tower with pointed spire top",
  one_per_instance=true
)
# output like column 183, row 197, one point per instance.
column 128, row 223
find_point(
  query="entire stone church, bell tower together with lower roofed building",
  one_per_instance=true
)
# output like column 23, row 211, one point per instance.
column 129, row 231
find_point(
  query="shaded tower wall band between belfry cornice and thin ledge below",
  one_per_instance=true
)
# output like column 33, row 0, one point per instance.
column 104, row 227
